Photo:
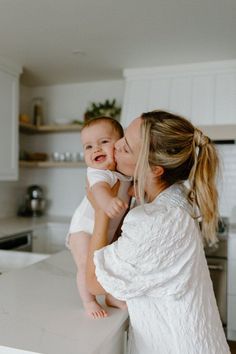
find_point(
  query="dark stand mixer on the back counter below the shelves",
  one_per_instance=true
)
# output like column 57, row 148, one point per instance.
column 34, row 203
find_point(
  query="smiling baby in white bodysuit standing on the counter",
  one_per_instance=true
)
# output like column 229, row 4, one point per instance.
column 98, row 138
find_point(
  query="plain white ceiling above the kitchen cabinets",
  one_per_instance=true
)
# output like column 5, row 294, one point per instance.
column 111, row 35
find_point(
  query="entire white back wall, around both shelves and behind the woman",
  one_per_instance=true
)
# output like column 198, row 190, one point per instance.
column 64, row 188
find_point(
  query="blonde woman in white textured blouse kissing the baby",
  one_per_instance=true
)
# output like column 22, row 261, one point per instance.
column 158, row 265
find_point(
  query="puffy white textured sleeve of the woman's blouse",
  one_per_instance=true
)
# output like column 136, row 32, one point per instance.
column 155, row 255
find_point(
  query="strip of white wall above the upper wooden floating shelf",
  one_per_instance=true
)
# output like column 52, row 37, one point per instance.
column 69, row 102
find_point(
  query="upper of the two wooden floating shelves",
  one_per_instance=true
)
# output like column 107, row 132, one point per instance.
column 52, row 128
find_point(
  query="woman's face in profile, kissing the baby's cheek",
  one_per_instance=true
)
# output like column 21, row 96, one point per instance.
column 127, row 148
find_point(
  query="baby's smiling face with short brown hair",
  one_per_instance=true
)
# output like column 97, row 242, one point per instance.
column 98, row 143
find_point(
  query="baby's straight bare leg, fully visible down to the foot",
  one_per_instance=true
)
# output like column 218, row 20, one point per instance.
column 79, row 245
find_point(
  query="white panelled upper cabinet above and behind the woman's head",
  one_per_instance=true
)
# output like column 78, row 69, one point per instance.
column 205, row 93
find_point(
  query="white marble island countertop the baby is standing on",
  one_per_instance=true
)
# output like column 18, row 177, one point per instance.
column 40, row 311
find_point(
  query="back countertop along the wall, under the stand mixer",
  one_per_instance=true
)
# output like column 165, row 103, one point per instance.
column 14, row 225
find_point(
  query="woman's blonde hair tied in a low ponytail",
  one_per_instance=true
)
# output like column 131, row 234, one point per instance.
column 185, row 154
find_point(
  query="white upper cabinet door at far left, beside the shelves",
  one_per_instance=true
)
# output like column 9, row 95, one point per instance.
column 8, row 127
